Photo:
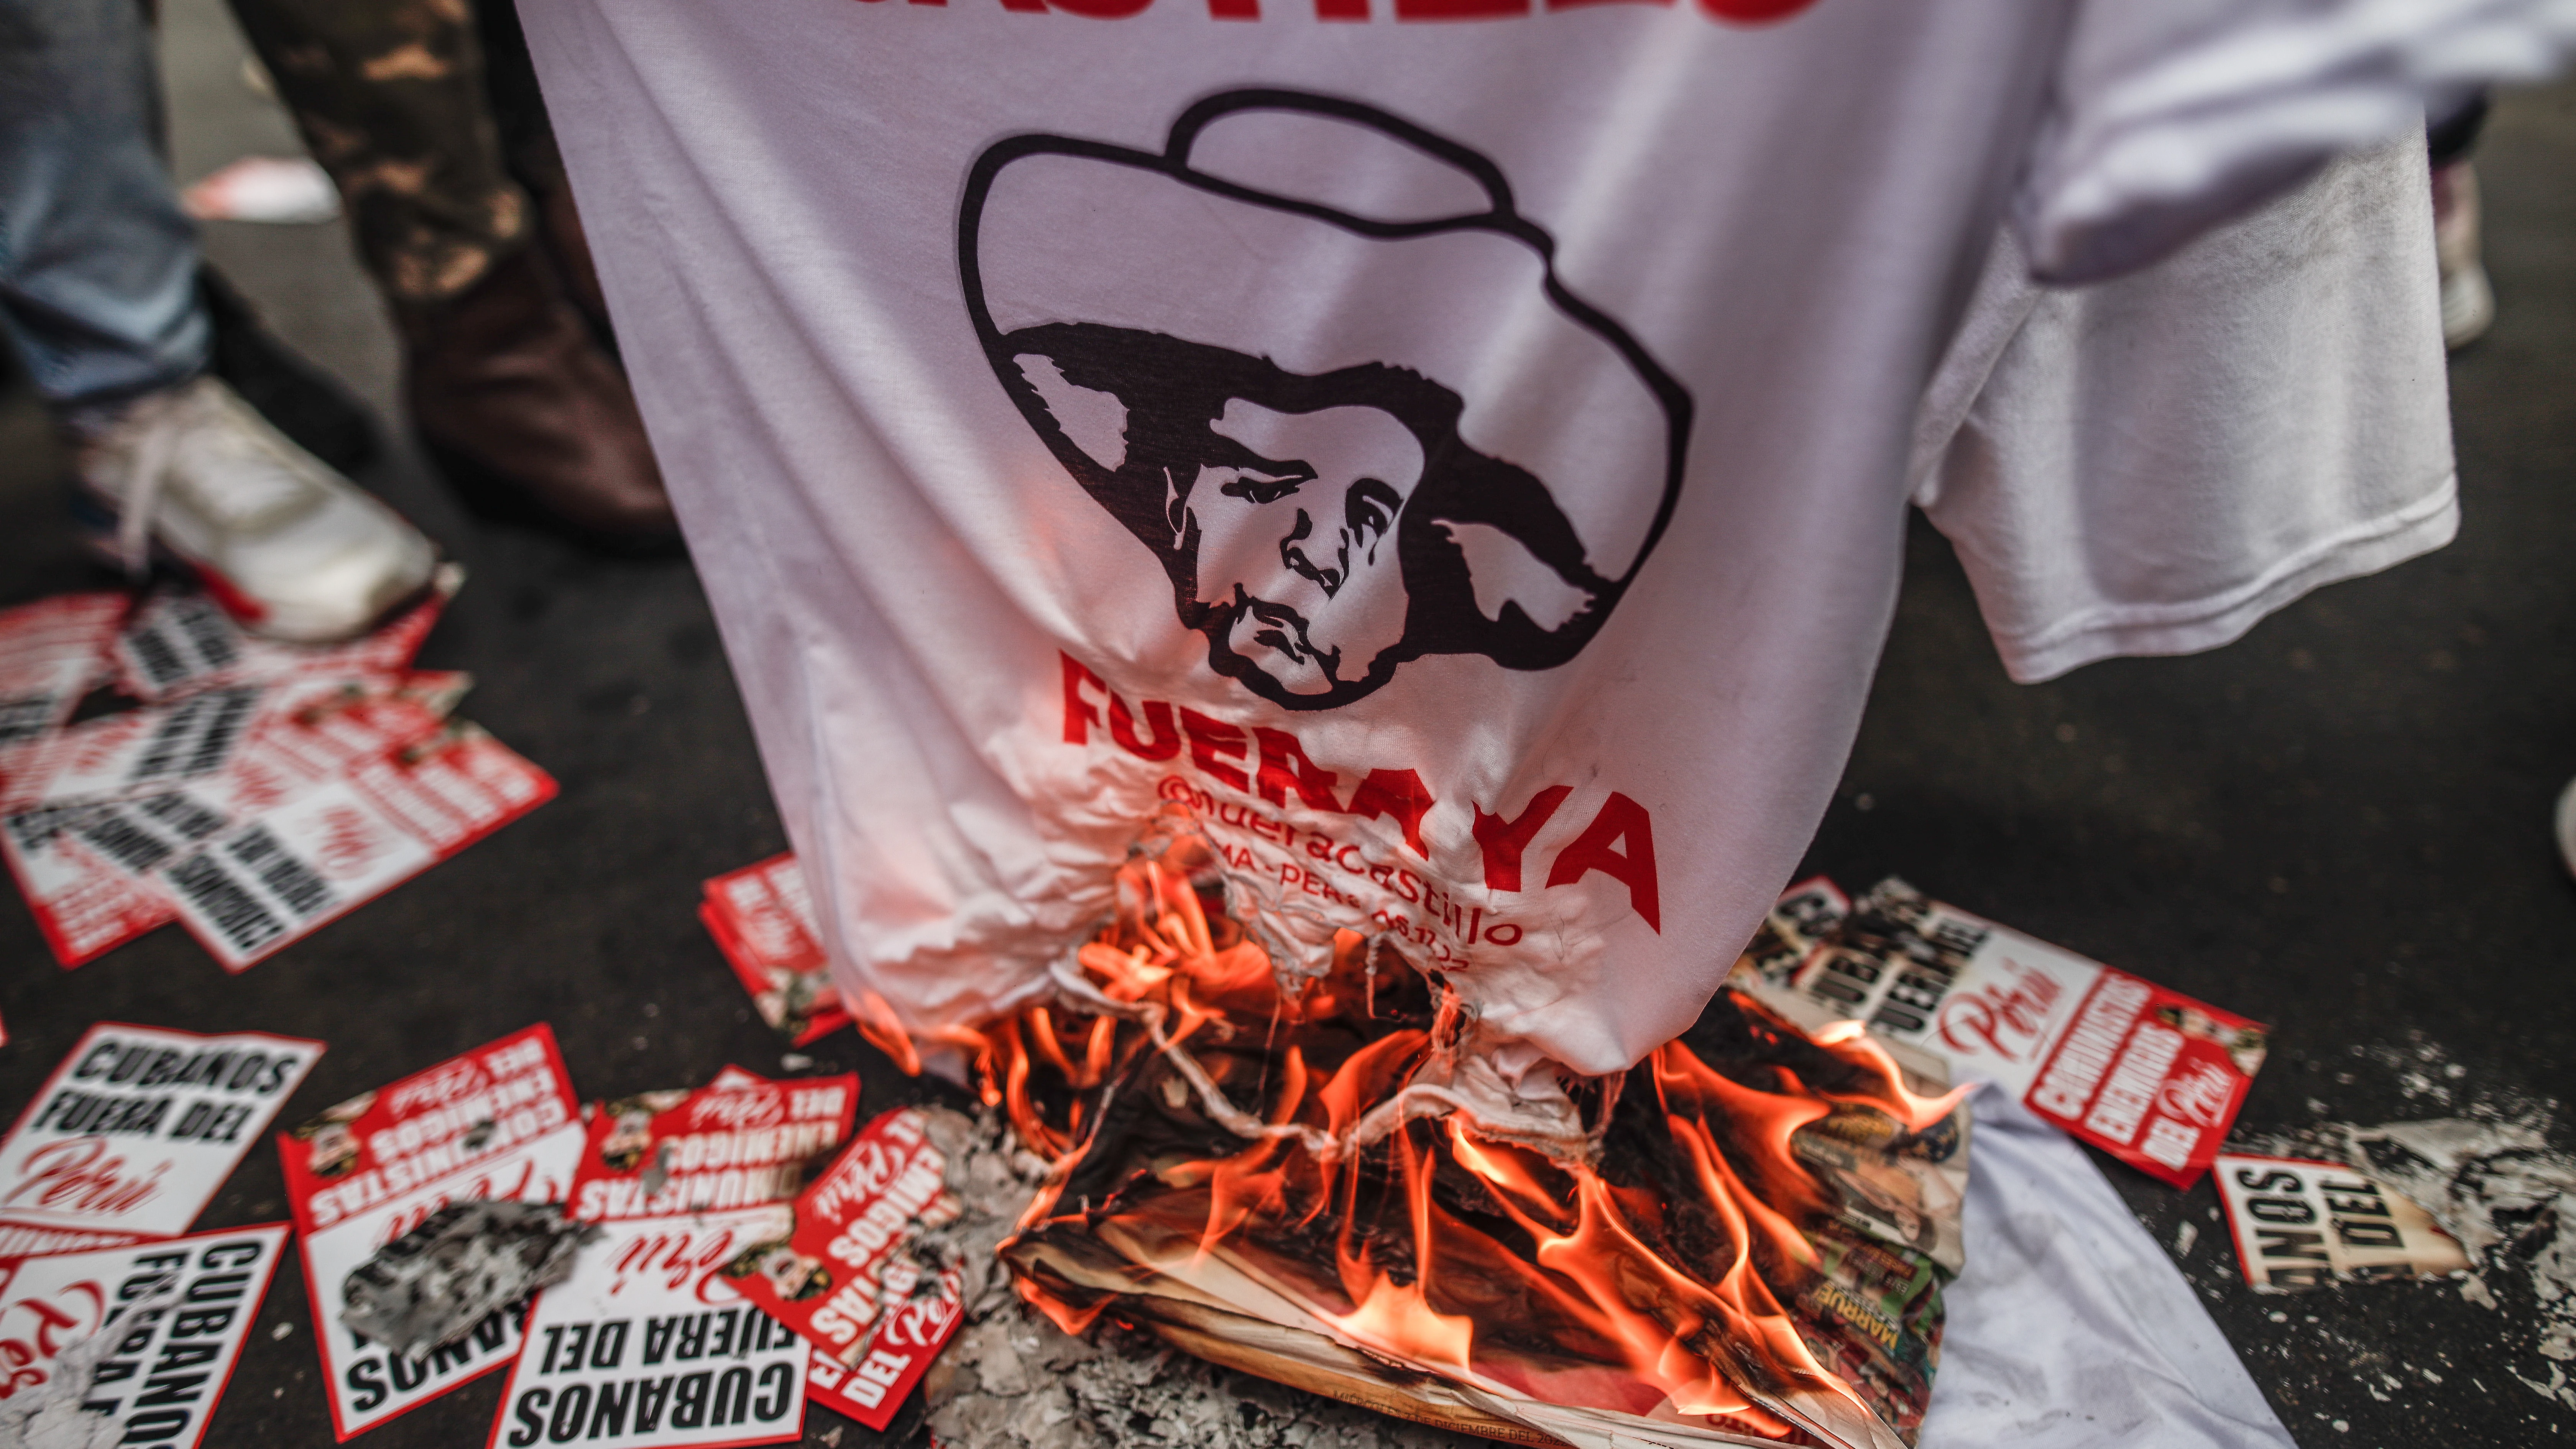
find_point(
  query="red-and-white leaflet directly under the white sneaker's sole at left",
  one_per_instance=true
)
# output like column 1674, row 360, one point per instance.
column 182, row 643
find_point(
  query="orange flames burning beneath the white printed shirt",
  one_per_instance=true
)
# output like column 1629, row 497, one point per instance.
column 1560, row 1265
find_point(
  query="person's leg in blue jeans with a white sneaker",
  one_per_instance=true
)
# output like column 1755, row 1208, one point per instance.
column 99, row 293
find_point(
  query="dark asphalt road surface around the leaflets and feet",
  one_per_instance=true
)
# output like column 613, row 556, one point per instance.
column 2335, row 826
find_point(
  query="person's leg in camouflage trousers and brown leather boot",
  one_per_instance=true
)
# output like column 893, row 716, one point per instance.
column 504, row 375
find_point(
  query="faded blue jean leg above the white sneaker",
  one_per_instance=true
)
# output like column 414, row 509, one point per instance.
column 97, row 257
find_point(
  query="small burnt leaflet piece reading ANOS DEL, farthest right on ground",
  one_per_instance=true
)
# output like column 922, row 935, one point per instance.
column 2302, row 1226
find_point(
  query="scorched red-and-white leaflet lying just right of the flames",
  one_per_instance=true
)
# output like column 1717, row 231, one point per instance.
column 2139, row 1071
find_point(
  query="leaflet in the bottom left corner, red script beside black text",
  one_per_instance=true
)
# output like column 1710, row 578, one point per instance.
column 179, row 1308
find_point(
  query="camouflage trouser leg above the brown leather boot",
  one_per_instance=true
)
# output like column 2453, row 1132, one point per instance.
column 390, row 97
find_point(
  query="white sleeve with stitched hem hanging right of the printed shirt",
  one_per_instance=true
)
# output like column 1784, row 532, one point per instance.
column 2152, row 465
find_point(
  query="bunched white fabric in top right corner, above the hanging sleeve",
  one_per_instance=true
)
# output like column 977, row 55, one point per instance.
column 2170, row 117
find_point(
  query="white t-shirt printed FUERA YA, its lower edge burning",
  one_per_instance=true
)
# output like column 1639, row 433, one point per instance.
column 1452, row 447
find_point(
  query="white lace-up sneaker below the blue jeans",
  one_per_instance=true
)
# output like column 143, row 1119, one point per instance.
column 285, row 543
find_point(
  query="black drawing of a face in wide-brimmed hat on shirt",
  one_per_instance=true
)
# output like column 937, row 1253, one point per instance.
column 1323, row 367
